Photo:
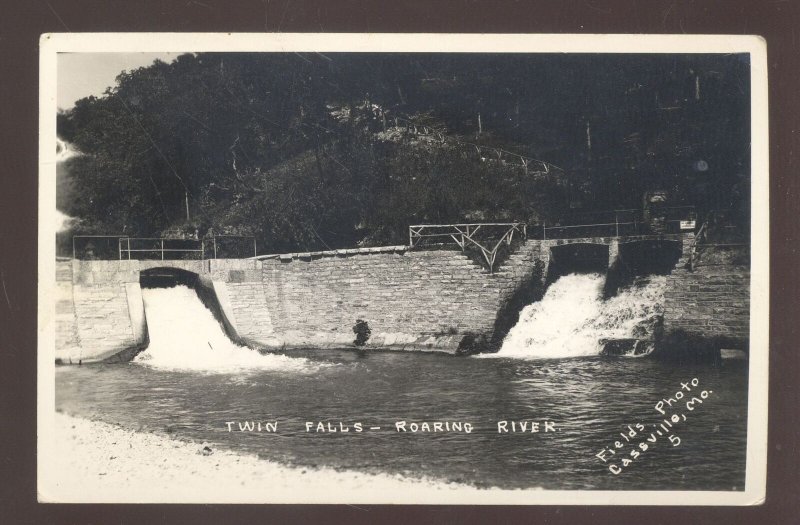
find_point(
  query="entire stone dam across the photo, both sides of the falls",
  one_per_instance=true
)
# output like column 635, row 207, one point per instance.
column 412, row 299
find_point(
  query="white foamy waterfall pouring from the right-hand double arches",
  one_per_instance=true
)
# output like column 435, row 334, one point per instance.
column 572, row 317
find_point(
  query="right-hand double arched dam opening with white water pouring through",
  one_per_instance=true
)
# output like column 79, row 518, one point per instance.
column 597, row 299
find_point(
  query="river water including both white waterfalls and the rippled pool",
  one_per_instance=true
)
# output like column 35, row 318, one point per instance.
column 193, row 383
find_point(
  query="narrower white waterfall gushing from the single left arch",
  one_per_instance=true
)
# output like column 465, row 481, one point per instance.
column 184, row 335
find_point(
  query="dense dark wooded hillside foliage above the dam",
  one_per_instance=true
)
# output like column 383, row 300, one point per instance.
column 312, row 151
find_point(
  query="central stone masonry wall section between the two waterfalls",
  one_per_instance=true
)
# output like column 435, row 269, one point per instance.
column 413, row 300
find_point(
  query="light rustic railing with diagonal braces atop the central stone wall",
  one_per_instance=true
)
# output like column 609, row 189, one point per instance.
column 464, row 234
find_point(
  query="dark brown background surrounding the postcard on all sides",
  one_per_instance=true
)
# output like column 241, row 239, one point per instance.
column 21, row 23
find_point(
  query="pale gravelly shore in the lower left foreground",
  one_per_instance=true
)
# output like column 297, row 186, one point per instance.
column 91, row 461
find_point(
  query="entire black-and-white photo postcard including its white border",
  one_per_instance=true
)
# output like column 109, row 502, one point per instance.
column 439, row 269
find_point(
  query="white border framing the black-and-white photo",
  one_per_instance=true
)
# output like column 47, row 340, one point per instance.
column 756, row 464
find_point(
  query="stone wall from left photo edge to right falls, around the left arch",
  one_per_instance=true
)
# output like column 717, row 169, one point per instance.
column 412, row 300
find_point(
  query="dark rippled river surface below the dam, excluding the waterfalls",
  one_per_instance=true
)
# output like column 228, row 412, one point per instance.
column 590, row 399
